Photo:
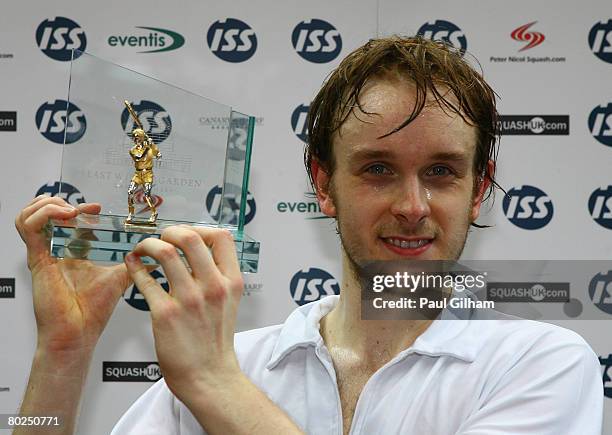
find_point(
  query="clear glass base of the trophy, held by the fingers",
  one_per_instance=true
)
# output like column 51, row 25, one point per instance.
column 107, row 238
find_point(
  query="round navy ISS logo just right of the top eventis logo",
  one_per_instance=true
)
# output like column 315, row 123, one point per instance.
column 232, row 40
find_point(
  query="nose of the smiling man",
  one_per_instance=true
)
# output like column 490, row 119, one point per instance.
column 411, row 203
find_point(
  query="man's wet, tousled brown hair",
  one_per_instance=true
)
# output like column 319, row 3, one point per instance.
column 433, row 66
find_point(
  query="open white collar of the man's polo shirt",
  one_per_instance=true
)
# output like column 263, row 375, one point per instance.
column 451, row 335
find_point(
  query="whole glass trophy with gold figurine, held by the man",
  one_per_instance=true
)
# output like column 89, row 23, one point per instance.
column 152, row 155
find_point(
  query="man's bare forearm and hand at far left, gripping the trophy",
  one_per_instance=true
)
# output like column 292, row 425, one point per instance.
column 73, row 300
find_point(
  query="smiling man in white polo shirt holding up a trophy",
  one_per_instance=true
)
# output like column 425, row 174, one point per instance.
column 401, row 153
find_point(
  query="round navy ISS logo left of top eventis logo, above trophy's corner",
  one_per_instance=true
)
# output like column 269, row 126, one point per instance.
column 58, row 37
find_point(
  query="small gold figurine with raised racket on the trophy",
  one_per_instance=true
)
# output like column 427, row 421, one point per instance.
column 143, row 152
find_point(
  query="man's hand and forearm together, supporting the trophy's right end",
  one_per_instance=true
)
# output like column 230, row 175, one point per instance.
column 193, row 326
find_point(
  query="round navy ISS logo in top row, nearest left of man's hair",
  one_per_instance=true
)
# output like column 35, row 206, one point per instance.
column 316, row 41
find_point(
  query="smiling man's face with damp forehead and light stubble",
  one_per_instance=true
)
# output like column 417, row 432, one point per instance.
column 409, row 195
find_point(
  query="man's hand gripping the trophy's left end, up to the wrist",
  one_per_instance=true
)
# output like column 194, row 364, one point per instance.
column 73, row 299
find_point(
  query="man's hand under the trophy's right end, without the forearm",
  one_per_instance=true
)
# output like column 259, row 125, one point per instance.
column 193, row 324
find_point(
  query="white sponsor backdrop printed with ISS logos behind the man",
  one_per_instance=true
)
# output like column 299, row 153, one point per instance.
column 550, row 66
